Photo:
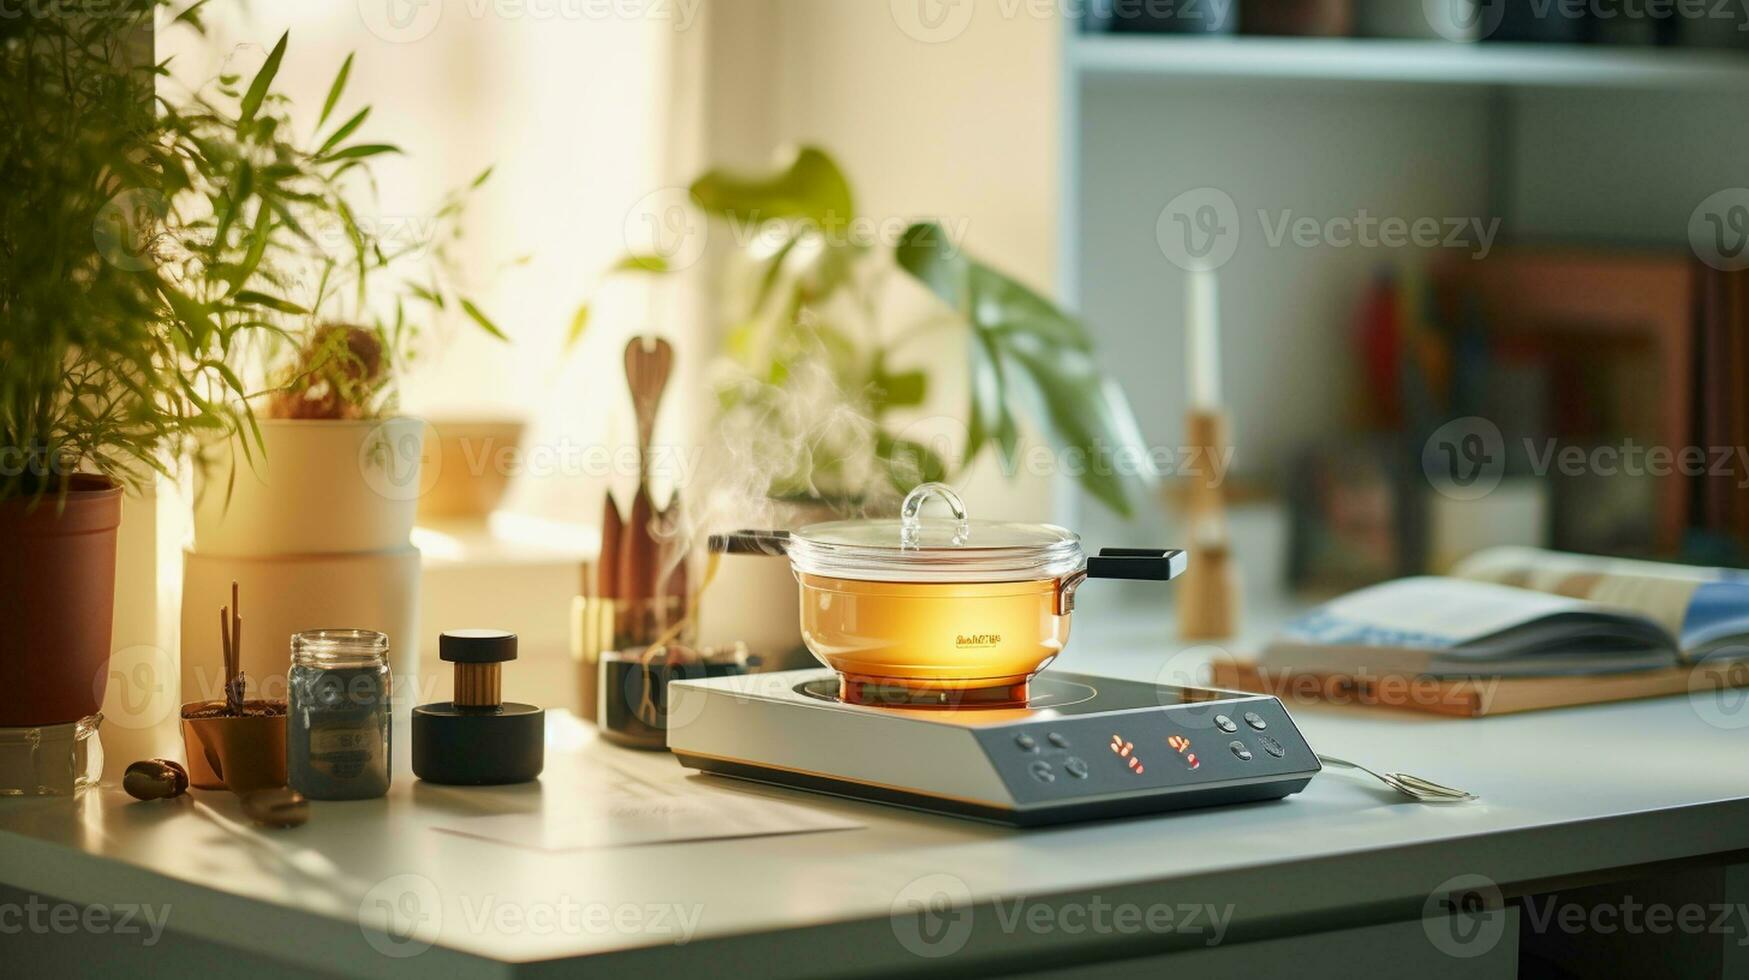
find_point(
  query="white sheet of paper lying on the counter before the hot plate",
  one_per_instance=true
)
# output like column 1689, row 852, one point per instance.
column 615, row 809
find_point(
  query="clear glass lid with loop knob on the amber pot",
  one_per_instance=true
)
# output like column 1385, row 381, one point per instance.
column 921, row 550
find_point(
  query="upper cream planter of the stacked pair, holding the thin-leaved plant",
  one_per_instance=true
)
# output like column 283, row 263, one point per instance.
column 317, row 489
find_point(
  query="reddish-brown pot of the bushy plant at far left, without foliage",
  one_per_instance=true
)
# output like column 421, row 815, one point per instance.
column 57, row 603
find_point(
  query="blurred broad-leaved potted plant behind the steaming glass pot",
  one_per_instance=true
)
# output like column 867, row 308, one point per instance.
column 826, row 361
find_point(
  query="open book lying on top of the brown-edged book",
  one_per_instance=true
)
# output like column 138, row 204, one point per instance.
column 1523, row 612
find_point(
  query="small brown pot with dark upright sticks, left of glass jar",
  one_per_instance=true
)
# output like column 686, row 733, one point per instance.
column 235, row 743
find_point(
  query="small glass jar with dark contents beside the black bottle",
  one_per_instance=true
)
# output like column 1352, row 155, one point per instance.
column 338, row 731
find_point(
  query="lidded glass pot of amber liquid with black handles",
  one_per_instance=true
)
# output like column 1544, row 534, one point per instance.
column 945, row 612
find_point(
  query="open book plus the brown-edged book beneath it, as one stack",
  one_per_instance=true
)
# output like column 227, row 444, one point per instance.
column 1516, row 629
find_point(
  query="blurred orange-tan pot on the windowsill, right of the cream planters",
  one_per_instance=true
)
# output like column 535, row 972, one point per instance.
column 471, row 465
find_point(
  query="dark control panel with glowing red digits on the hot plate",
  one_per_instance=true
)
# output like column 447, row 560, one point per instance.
column 1146, row 752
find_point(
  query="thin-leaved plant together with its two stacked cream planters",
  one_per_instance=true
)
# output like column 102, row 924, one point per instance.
column 317, row 524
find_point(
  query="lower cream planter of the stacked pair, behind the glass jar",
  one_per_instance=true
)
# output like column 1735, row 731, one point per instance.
column 284, row 596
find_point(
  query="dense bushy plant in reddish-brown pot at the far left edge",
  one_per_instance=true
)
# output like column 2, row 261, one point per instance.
column 108, row 365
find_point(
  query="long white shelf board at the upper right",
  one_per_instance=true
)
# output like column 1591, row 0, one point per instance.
column 1407, row 62
